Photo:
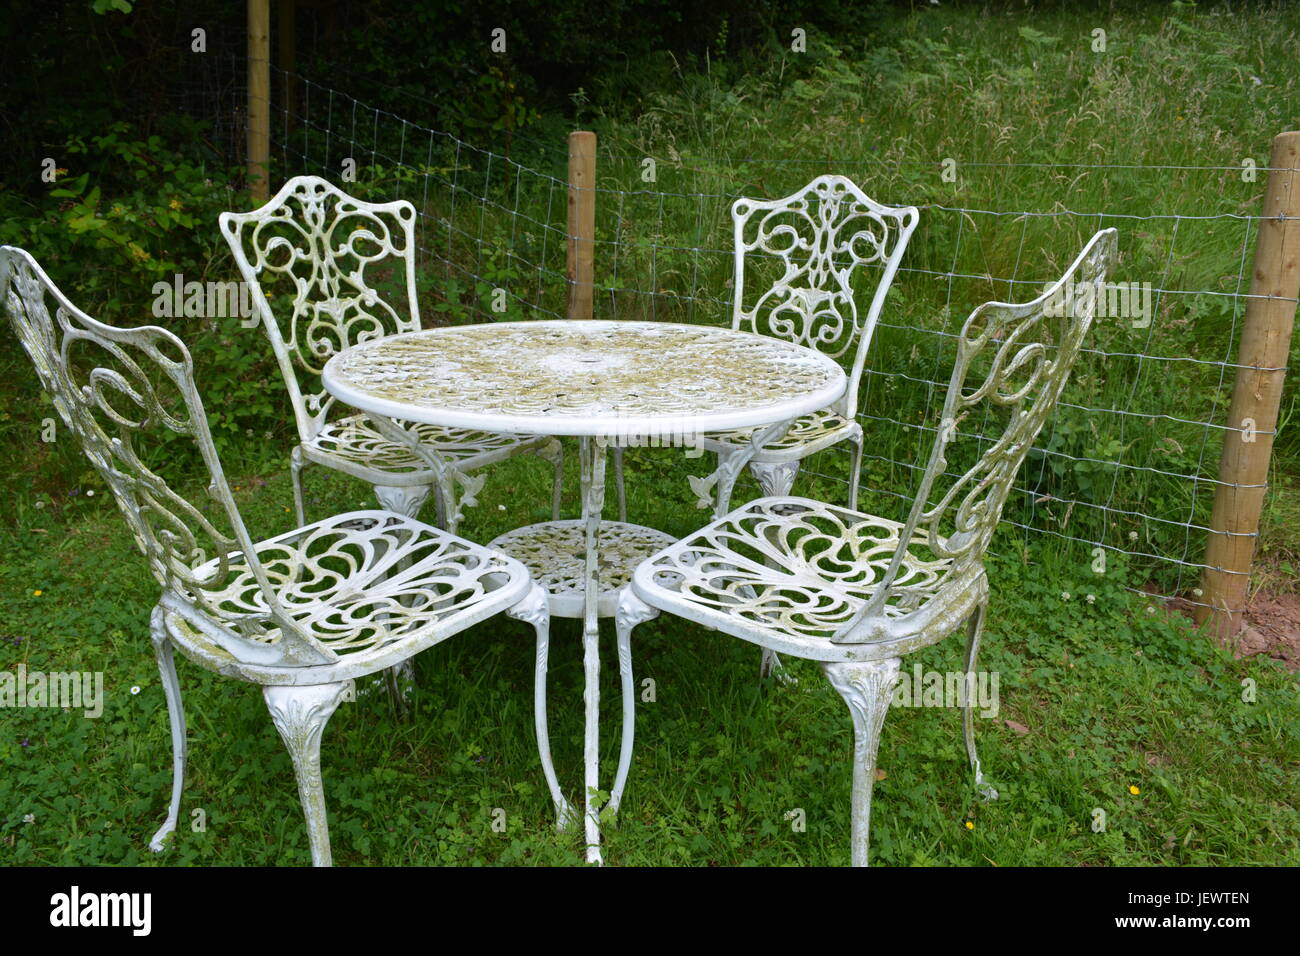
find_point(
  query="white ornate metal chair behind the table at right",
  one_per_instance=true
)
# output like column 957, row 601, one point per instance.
column 795, row 265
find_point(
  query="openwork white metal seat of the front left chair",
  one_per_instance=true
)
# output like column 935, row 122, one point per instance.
column 362, row 585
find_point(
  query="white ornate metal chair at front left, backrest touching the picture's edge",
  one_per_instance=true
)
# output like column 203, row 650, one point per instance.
column 302, row 615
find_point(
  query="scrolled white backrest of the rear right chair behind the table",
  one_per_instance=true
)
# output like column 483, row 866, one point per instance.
column 801, row 253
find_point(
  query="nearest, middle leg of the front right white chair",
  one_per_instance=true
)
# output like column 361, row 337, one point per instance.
column 866, row 687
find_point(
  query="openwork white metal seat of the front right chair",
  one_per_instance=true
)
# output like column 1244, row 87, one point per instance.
column 791, row 573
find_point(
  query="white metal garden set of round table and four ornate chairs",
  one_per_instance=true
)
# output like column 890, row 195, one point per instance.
column 418, row 412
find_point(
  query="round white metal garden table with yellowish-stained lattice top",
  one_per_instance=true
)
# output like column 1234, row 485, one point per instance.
column 606, row 383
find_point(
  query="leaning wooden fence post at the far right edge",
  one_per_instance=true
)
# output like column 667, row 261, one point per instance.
column 1256, row 396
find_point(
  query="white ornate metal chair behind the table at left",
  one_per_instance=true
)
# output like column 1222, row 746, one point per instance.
column 322, row 250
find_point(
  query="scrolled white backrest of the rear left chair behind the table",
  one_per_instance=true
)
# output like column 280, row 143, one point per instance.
column 322, row 250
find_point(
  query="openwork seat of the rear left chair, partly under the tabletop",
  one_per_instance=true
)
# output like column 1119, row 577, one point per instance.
column 357, row 442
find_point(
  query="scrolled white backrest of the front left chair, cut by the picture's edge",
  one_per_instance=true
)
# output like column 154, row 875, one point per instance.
column 124, row 393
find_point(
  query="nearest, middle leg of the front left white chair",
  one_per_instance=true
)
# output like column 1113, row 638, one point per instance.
column 301, row 715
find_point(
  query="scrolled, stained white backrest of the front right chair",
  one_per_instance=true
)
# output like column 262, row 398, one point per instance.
column 1029, row 351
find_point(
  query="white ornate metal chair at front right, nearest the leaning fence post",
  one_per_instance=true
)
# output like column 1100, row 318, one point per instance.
column 857, row 592
